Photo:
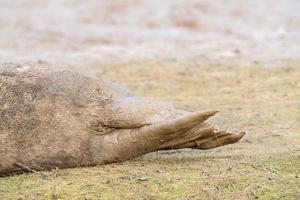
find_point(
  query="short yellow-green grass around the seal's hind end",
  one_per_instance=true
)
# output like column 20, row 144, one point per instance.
column 265, row 102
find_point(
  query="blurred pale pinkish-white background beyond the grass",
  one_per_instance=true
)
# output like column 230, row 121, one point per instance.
column 75, row 30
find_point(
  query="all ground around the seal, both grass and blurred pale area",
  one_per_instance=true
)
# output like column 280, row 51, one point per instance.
column 239, row 57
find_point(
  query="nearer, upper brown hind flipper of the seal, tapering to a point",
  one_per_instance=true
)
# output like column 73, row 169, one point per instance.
column 124, row 144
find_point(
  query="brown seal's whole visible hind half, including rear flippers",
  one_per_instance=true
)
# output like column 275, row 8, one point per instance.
column 56, row 118
